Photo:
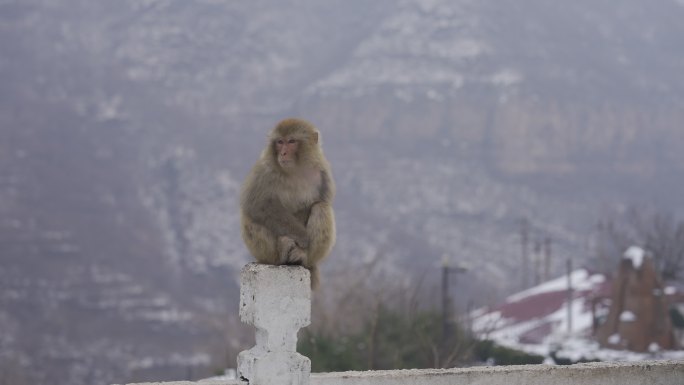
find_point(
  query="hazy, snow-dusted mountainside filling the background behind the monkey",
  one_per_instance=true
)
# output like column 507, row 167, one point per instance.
column 128, row 126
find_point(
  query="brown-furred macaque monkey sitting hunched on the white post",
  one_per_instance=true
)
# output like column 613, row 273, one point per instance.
column 286, row 200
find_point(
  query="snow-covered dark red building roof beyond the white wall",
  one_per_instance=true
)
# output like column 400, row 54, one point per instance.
column 539, row 319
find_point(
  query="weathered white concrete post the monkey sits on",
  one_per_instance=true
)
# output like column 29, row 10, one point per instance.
column 277, row 301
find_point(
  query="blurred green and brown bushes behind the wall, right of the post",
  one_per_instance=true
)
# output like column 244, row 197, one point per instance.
column 393, row 320
